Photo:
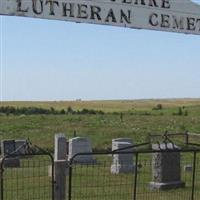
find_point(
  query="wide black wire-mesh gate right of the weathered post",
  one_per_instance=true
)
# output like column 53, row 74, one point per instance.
column 99, row 179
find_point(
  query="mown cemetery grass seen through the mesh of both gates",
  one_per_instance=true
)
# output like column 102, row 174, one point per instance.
column 85, row 185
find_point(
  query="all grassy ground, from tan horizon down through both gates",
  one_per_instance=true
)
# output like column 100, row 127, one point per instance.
column 138, row 119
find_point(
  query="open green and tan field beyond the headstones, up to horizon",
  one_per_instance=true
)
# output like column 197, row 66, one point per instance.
column 139, row 119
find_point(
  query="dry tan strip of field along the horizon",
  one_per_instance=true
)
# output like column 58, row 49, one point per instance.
column 108, row 105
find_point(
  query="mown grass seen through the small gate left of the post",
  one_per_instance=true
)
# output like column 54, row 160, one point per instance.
column 29, row 181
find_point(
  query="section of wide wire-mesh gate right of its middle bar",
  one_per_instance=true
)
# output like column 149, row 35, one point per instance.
column 185, row 171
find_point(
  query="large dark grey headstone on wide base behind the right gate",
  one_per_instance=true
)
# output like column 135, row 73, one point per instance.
column 166, row 167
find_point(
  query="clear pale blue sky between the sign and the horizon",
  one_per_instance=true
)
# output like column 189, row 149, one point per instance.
column 55, row 60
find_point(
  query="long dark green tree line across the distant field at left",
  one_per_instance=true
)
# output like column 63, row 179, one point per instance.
column 36, row 110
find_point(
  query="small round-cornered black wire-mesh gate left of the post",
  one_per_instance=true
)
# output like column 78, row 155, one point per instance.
column 27, row 175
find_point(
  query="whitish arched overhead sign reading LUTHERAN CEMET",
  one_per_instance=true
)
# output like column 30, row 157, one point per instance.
column 164, row 15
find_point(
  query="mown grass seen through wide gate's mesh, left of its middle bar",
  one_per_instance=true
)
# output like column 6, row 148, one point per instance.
column 94, row 181
